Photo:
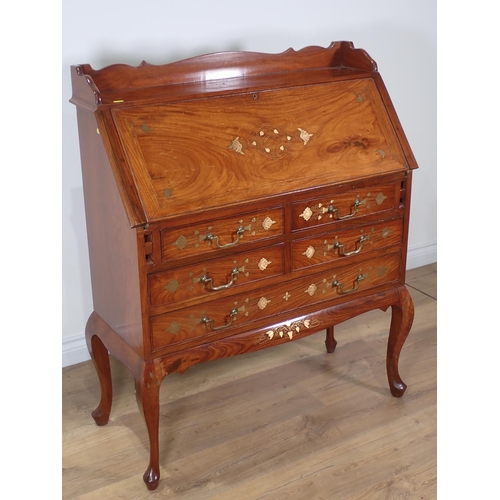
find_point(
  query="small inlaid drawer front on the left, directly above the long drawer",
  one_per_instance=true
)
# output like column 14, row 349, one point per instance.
column 208, row 278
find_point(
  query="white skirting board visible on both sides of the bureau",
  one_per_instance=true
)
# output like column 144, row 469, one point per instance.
column 74, row 349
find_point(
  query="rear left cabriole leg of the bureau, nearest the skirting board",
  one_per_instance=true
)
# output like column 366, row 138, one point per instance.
column 100, row 358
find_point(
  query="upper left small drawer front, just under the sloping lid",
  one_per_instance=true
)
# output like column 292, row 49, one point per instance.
column 209, row 237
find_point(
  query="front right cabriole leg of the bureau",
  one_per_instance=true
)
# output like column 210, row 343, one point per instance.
column 402, row 319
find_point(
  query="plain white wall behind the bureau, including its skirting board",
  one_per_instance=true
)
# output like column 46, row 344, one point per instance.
column 400, row 36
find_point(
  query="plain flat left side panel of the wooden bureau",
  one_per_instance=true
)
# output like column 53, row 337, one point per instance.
column 113, row 245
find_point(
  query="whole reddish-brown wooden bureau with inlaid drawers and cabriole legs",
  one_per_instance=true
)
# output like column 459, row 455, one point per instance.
column 237, row 201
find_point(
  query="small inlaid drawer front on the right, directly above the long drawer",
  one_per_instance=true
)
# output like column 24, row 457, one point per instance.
column 340, row 245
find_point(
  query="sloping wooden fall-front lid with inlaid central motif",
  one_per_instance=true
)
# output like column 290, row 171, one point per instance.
column 249, row 141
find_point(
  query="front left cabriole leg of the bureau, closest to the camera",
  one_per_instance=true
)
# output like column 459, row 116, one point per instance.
column 147, row 388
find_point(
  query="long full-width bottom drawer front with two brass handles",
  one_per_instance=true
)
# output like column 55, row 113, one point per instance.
column 224, row 317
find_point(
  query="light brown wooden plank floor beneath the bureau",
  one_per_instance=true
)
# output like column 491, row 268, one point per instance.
column 286, row 423
